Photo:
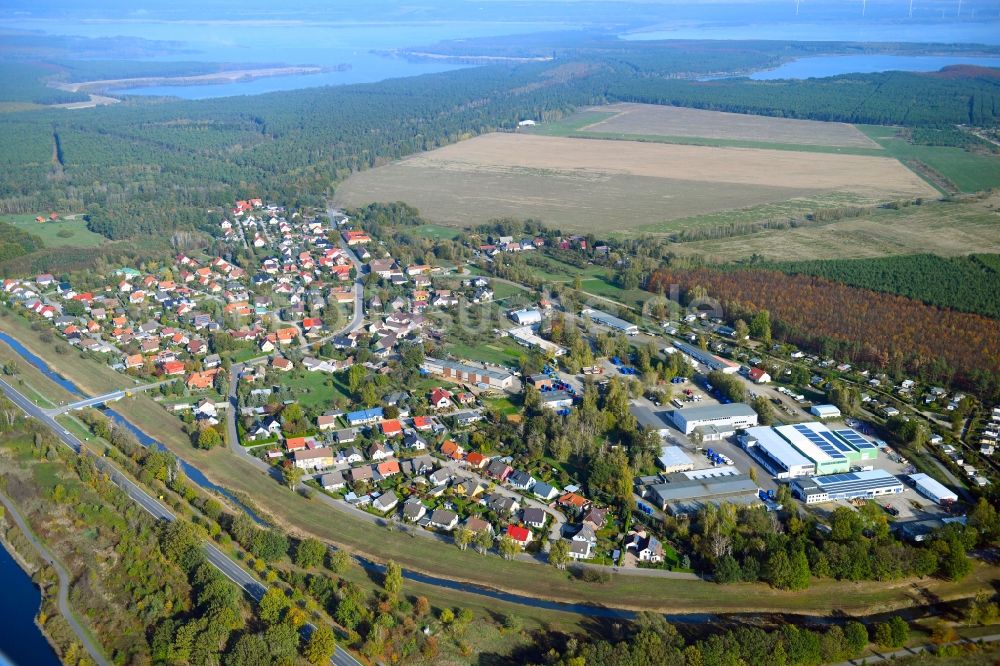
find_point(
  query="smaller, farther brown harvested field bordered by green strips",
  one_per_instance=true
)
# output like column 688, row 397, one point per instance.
column 655, row 120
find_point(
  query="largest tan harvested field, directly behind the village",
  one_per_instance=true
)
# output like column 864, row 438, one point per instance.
column 584, row 185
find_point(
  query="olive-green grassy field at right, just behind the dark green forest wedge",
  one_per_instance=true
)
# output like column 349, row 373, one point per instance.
column 942, row 228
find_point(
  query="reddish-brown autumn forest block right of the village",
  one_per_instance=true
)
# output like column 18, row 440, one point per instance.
column 866, row 327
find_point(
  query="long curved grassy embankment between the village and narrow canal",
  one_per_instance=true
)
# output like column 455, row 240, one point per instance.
column 303, row 516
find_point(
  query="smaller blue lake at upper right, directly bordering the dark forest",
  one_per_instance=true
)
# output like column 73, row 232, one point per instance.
column 806, row 68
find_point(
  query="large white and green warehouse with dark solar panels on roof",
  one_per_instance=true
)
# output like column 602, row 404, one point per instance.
column 807, row 449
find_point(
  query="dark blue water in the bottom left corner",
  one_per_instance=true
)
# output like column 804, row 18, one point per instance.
column 21, row 643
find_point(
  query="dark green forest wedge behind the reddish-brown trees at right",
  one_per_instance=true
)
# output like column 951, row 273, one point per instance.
column 969, row 284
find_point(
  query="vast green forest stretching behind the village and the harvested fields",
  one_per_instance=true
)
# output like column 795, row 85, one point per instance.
column 151, row 166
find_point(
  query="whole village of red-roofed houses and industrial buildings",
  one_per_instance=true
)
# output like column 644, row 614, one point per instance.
column 330, row 360
